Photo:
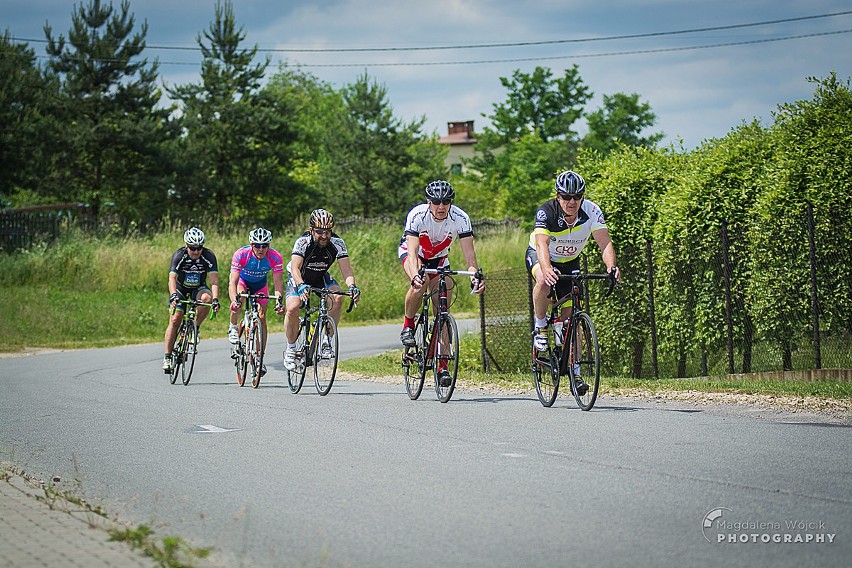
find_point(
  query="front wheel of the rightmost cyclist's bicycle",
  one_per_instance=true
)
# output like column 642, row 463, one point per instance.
column 584, row 361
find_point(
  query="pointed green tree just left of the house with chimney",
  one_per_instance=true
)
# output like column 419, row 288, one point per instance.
column 372, row 163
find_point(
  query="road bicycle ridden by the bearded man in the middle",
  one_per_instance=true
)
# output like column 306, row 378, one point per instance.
column 317, row 343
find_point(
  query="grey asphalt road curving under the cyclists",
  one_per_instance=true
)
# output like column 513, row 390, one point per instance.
column 367, row 477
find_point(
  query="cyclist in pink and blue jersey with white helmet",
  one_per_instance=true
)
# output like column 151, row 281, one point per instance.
column 250, row 266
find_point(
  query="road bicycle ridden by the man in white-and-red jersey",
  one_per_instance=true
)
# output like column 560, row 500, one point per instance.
column 437, row 344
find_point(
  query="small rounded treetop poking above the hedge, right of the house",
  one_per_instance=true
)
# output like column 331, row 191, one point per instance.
column 621, row 120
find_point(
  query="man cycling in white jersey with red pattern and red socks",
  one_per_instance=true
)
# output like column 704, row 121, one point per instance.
column 430, row 229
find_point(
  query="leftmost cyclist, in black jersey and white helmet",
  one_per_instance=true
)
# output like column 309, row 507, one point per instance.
column 190, row 268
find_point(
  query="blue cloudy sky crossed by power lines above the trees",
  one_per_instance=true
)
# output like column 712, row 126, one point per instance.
column 700, row 84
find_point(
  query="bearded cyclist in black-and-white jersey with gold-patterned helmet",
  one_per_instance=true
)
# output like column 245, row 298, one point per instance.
column 313, row 254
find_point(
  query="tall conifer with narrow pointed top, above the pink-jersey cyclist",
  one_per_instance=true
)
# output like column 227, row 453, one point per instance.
column 232, row 146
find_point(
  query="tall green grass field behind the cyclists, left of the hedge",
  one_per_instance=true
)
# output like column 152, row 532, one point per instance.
column 82, row 291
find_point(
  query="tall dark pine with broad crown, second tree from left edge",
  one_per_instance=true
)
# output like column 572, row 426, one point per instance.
column 112, row 131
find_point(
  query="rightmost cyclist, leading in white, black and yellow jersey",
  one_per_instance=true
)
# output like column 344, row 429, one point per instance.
column 563, row 226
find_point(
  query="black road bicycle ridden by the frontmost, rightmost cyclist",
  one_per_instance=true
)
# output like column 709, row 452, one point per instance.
column 578, row 355
